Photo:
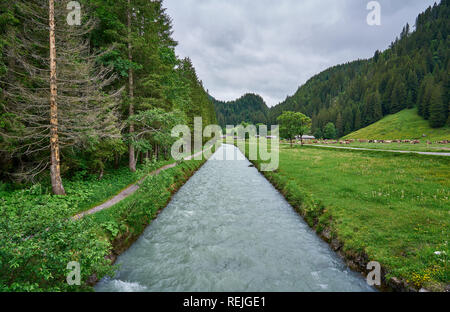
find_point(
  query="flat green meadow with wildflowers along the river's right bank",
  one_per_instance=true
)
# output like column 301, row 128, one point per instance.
column 394, row 208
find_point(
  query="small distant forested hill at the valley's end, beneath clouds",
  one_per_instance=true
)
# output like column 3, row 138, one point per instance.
column 250, row 108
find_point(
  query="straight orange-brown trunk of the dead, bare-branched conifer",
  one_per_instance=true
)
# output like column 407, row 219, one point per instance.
column 55, row 169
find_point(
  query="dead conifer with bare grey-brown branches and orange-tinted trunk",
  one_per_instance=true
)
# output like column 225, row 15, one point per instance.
column 55, row 90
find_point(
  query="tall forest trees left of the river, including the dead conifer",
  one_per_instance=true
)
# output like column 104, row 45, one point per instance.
column 108, row 90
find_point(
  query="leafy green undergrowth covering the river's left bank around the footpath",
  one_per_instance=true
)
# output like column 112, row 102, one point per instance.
column 39, row 238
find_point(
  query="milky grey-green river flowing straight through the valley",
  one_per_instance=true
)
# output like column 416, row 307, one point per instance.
column 228, row 229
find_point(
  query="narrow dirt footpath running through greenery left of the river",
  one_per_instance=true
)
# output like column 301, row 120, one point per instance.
column 129, row 190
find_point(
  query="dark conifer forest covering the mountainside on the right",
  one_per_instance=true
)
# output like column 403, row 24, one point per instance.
column 413, row 72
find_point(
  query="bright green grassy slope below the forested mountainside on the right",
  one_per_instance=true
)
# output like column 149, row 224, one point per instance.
column 406, row 124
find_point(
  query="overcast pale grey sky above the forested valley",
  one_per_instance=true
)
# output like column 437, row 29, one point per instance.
column 271, row 47
